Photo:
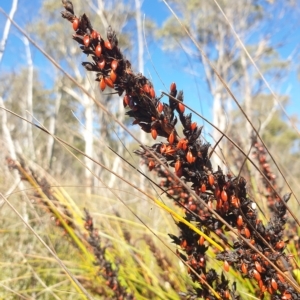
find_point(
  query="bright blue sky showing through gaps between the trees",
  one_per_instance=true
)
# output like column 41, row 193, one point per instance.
column 196, row 93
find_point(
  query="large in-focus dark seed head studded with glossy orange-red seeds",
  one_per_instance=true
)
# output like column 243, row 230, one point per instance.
column 223, row 194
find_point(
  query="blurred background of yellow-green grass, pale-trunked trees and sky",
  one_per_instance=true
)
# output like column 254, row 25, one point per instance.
column 254, row 47
